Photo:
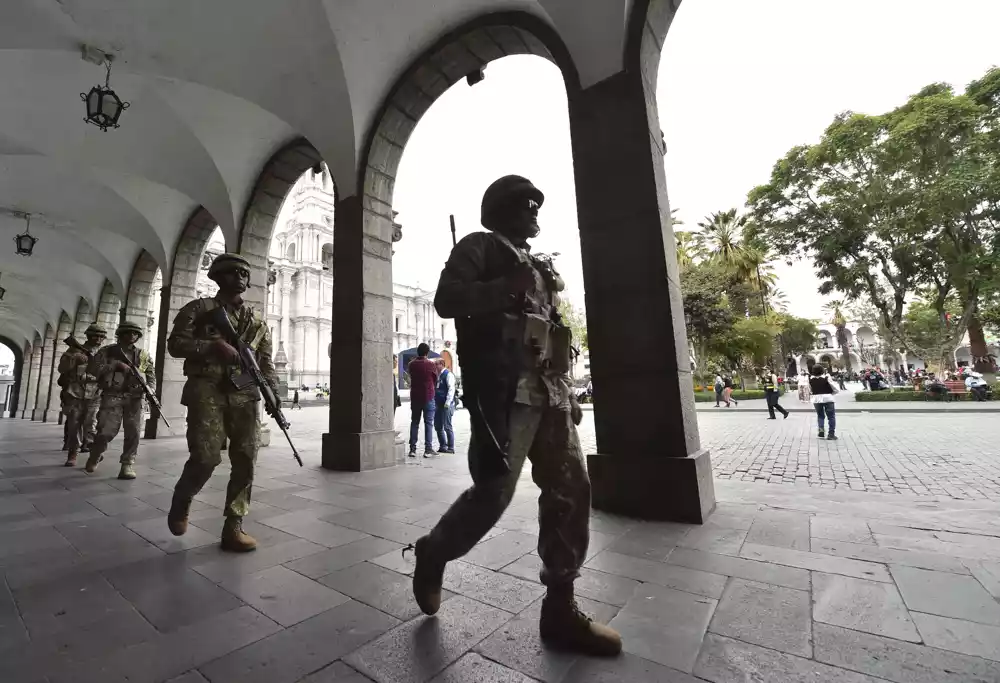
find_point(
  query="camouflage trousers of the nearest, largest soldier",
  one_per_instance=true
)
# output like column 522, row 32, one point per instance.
column 547, row 437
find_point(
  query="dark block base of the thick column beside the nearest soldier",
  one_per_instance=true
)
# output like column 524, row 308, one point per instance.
column 653, row 488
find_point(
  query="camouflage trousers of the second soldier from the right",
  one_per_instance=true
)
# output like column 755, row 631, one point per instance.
column 212, row 419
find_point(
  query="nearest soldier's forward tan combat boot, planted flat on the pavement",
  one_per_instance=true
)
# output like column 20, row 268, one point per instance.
column 565, row 627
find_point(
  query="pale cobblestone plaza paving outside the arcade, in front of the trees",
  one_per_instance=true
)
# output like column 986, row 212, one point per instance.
column 956, row 456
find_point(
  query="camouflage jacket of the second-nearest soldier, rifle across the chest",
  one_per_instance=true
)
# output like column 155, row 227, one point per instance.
column 193, row 333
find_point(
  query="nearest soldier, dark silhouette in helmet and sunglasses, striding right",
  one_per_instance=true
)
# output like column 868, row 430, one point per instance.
column 515, row 353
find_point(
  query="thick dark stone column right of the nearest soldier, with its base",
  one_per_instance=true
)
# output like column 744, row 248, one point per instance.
column 649, row 461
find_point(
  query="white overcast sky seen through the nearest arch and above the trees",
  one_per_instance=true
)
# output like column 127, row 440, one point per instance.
column 740, row 83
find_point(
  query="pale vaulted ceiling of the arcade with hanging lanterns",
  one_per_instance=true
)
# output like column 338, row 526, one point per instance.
column 215, row 89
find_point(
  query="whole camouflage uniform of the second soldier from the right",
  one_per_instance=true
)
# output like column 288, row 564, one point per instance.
column 217, row 410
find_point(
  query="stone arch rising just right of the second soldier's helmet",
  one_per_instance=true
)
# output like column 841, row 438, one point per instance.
column 277, row 177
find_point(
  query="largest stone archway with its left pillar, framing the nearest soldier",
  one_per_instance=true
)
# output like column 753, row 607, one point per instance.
column 361, row 432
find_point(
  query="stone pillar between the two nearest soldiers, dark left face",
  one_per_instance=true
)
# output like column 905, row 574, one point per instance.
column 361, row 435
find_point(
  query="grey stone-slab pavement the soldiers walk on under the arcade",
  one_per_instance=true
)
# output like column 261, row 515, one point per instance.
column 784, row 583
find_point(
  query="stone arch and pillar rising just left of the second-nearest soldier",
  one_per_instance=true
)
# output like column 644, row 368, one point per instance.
column 174, row 295
